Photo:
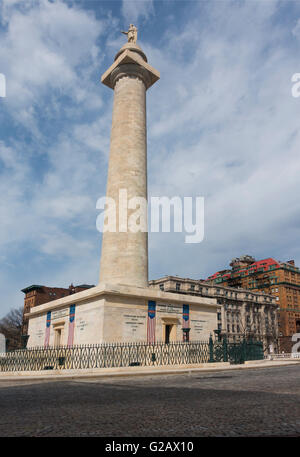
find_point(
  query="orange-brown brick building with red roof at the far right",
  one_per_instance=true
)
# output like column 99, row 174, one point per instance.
column 280, row 279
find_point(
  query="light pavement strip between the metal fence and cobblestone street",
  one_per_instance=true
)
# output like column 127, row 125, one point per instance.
column 101, row 373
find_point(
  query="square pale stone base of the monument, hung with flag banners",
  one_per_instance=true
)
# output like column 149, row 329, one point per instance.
column 117, row 313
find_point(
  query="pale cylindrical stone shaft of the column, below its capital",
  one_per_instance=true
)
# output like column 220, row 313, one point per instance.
column 124, row 257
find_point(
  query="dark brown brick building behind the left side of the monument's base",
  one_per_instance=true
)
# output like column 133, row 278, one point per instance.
column 36, row 295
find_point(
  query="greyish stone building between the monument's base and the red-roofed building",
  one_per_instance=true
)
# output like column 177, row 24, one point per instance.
column 242, row 314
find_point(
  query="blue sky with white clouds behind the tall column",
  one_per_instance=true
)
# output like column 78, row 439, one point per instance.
column 222, row 124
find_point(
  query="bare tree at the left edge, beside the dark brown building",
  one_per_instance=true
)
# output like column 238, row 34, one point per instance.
column 11, row 327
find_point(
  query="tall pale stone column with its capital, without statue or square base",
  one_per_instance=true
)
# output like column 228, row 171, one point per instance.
column 124, row 257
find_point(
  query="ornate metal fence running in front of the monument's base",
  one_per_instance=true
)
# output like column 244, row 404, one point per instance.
column 129, row 354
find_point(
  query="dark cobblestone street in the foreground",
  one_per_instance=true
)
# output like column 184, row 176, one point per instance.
column 254, row 402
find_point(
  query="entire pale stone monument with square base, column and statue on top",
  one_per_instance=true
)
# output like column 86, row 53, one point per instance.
column 122, row 308
